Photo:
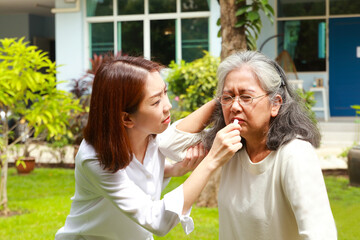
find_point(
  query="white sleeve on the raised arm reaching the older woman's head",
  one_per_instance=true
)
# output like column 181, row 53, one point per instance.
column 174, row 143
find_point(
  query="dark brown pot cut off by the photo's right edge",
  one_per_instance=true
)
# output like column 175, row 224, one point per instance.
column 354, row 166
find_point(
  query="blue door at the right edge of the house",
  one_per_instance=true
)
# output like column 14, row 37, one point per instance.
column 344, row 65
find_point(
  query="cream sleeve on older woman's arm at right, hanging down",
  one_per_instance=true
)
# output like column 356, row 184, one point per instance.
column 304, row 186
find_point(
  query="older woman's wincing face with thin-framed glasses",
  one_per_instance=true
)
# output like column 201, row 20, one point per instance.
column 254, row 117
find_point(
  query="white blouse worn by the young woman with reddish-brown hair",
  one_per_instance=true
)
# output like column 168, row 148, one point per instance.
column 126, row 204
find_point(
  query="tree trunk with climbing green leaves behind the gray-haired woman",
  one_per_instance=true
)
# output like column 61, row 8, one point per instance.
column 240, row 27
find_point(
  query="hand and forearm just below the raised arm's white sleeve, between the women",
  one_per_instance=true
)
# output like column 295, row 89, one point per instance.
column 194, row 156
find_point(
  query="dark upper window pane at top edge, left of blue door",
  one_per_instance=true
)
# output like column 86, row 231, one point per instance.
column 290, row 8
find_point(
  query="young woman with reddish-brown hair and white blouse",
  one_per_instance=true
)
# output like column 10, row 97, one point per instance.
column 119, row 169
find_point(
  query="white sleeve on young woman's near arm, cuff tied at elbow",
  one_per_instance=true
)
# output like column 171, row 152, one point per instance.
column 157, row 216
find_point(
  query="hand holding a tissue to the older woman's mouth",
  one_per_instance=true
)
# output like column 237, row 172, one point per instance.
column 226, row 143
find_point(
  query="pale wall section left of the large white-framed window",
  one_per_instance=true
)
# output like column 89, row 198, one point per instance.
column 69, row 33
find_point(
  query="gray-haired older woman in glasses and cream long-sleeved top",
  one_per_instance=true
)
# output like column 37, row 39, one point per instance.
column 272, row 188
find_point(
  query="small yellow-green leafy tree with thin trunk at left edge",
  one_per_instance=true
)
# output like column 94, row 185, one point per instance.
column 28, row 95
